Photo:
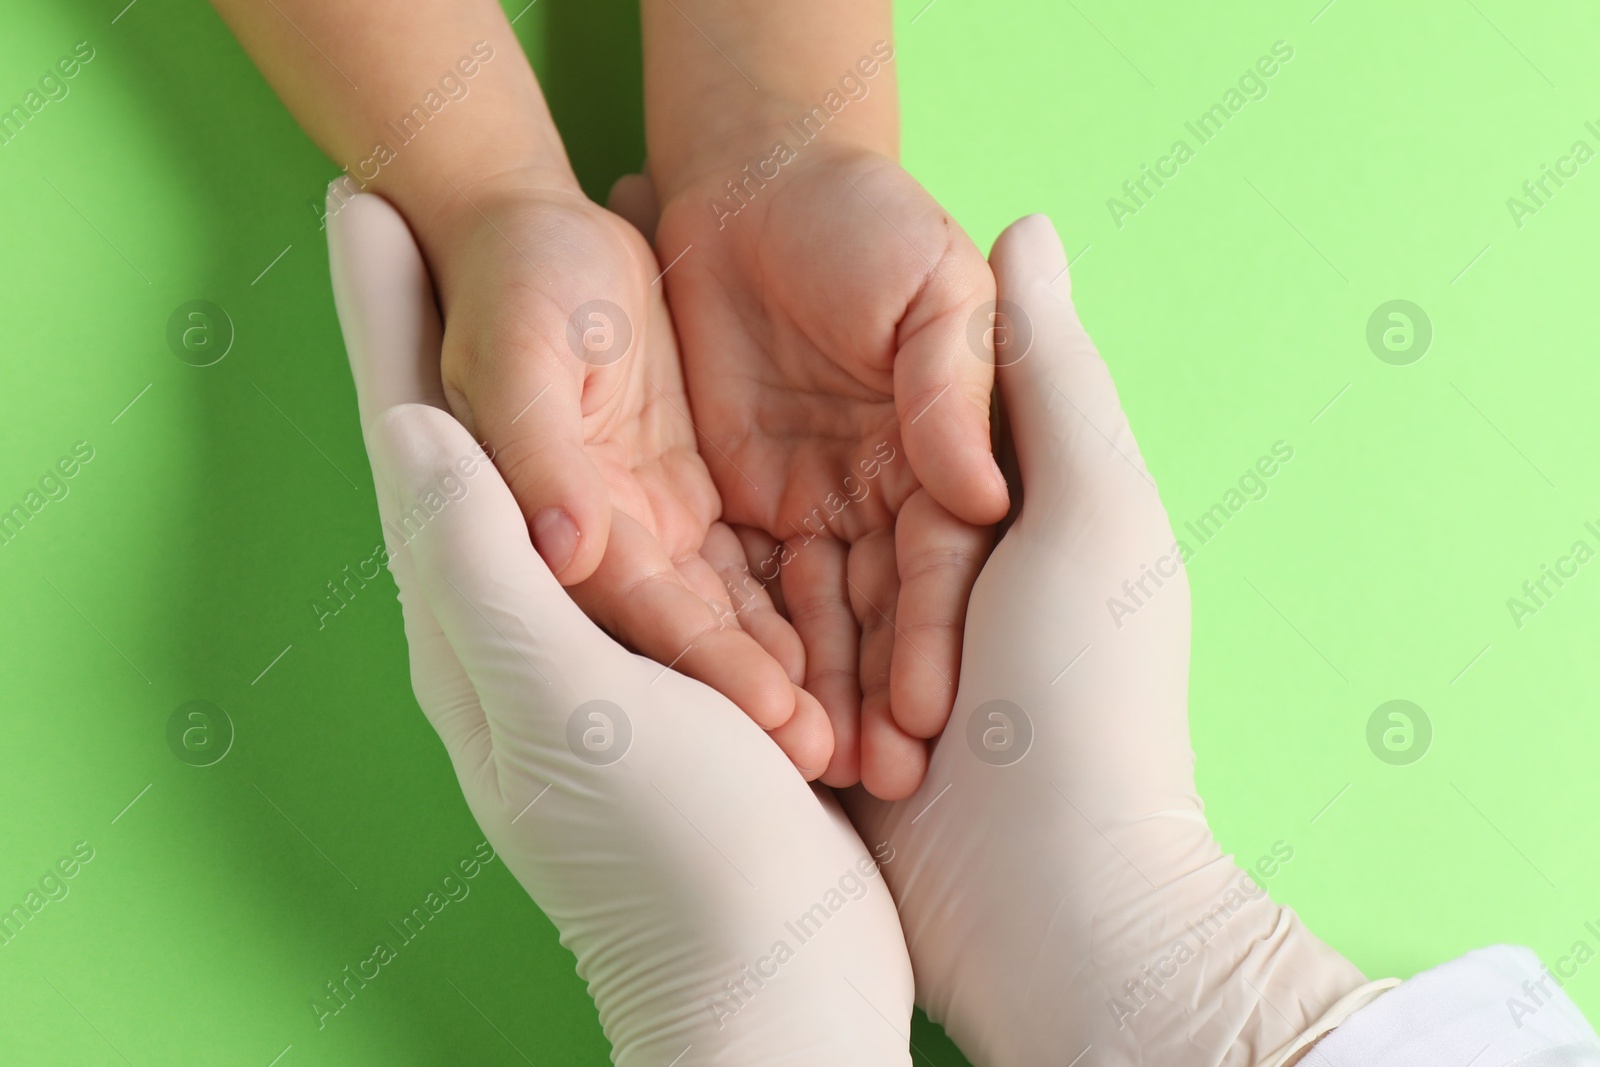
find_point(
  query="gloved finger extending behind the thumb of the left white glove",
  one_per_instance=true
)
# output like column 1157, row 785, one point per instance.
column 391, row 334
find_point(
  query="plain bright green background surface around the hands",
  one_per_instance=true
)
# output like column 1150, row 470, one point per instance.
column 1233, row 308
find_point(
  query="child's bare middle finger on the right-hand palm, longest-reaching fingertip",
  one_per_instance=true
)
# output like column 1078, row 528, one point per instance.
column 892, row 761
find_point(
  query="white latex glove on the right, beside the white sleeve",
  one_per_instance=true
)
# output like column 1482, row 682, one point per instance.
column 1074, row 900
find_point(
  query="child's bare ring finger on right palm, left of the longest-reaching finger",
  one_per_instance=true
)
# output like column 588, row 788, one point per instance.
column 817, row 594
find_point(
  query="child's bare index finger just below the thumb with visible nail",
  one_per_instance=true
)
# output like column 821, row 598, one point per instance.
column 639, row 593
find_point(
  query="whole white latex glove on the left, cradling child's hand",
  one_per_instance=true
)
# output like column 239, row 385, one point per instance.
column 719, row 909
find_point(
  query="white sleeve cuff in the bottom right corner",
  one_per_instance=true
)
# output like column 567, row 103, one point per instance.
column 1490, row 1009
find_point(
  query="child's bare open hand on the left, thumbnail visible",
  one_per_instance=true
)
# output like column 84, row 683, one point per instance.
column 559, row 354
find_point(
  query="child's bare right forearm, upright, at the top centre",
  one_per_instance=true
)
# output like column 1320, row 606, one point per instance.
column 724, row 78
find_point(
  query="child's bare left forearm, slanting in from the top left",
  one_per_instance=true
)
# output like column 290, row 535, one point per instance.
column 418, row 100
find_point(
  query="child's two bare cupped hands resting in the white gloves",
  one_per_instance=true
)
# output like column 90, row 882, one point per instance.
column 753, row 446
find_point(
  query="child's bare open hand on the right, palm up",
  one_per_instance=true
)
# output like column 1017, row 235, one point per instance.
column 844, row 412
